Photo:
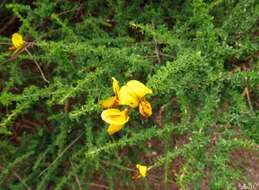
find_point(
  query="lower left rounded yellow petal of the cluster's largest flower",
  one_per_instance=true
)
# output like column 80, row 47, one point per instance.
column 128, row 97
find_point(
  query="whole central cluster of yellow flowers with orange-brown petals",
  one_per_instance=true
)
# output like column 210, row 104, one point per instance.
column 131, row 95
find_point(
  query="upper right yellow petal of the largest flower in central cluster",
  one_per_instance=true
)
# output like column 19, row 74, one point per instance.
column 138, row 88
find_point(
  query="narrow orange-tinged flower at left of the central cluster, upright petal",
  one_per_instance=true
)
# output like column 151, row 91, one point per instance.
column 113, row 101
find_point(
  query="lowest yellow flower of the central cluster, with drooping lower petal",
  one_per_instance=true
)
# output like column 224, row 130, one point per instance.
column 115, row 118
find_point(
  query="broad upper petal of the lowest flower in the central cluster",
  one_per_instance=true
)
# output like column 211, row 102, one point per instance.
column 115, row 116
